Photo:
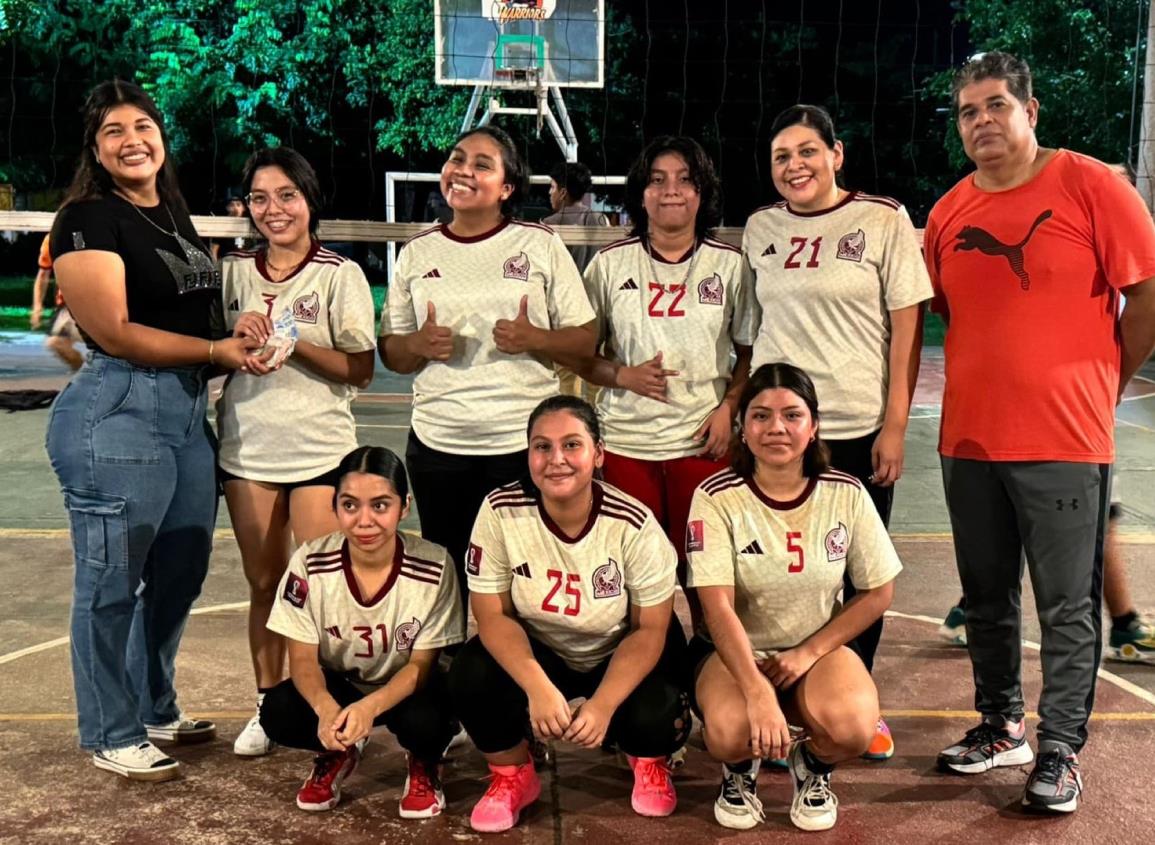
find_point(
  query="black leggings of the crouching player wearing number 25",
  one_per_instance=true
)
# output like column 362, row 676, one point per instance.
column 653, row 721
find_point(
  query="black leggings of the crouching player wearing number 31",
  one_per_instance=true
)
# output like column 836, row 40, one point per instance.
column 423, row 723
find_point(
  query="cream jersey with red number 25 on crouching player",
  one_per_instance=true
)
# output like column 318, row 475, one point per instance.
column 572, row 594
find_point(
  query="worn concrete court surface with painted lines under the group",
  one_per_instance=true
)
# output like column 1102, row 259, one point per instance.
column 57, row 796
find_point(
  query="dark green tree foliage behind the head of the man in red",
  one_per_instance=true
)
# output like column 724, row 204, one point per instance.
column 1083, row 55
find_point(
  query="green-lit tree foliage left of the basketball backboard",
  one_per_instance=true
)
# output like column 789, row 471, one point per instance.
column 237, row 74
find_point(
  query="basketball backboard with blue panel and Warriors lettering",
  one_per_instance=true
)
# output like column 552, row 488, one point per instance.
column 518, row 43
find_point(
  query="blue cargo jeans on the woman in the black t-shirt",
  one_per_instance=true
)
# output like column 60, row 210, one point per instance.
column 136, row 461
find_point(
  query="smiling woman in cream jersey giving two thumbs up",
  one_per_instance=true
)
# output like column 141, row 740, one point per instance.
column 479, row 309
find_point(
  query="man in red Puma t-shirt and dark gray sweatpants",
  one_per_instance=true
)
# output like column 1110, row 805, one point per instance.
column 1029, row 257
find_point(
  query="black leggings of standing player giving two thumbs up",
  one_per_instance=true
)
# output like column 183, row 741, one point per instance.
column 450, row 490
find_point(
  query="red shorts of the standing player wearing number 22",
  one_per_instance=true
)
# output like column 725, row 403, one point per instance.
column 666, row 488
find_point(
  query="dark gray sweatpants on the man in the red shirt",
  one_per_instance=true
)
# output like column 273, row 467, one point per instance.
column 1055, row 513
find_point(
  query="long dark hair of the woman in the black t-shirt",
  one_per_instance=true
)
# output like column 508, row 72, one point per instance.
column 92, row 180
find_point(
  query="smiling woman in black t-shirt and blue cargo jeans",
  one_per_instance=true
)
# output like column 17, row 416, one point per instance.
column 128, row 438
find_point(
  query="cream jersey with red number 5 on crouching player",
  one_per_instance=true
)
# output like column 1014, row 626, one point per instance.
column 786, row 560
